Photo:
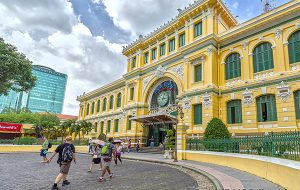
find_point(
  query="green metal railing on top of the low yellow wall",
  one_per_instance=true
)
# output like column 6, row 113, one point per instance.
column 285, row 145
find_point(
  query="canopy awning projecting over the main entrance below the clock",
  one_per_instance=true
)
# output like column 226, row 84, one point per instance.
column 158, row 118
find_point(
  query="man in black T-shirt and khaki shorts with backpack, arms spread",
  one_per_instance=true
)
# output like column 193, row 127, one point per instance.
column 66, row 154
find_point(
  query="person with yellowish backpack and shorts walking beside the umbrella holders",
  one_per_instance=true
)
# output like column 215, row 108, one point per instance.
column 107, row 152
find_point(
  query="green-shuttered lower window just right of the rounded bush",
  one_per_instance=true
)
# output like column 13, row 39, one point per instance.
column 234, row 112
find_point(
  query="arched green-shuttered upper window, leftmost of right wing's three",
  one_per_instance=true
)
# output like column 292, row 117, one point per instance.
column 233, row 66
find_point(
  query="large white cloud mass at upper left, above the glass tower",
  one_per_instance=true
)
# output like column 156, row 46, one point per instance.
column 65, row 45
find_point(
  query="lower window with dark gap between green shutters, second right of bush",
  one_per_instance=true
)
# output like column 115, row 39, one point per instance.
column 266, row 108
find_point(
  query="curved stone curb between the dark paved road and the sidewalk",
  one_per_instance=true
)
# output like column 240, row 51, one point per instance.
column 214, row 180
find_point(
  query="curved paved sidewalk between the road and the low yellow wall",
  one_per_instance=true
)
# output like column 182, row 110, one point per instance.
column 228, row 178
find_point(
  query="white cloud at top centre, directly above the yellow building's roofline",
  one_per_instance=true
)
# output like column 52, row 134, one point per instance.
column 144, row 16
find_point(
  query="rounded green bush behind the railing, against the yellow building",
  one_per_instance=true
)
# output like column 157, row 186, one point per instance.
column 216, row 129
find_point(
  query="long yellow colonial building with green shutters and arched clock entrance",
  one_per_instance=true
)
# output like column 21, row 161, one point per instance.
column 247, row 74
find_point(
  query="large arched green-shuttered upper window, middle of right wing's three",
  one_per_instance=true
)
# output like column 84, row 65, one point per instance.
column 263, row 57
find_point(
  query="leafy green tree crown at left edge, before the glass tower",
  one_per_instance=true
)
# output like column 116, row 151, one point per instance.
column 16, row 70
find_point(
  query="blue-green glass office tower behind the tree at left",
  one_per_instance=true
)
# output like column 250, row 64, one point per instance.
column 47, row 95
